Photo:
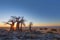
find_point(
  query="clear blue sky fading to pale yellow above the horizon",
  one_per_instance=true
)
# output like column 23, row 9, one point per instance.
column 40, row 12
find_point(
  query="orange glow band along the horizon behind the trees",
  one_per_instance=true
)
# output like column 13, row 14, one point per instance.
column 36, row 24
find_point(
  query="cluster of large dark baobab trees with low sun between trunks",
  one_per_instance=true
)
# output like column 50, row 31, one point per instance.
column 18, row 20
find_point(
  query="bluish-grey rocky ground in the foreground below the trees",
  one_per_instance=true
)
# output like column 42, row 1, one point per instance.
column 35, row 35
